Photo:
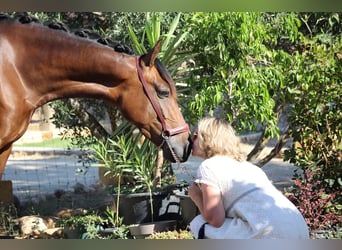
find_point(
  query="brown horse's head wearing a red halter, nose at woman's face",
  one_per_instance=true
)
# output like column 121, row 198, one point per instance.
column 157, row 112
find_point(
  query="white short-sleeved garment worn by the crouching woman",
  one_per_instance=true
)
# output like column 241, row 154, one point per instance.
column 254, row 207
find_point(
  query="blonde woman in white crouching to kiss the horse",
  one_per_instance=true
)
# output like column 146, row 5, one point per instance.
column 235, row 198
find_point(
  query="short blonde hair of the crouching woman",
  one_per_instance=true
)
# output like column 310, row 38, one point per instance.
column 217, row 137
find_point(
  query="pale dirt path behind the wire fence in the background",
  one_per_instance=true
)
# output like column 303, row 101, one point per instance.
column 54, row 180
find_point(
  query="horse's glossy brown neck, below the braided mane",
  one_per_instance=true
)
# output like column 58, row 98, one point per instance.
column 71, row 67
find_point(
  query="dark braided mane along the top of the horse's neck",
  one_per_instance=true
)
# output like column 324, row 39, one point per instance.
column 24, row 18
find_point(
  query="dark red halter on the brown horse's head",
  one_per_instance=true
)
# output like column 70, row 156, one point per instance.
column 166, row 132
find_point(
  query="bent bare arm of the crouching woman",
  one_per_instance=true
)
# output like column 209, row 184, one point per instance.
column 209, row 202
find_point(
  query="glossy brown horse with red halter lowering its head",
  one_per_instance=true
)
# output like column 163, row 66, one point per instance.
column 38, row 65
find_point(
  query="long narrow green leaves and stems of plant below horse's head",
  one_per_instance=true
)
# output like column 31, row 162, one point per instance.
column 128, row 158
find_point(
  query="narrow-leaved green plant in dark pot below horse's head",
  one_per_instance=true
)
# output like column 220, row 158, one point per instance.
column 139, row 189
